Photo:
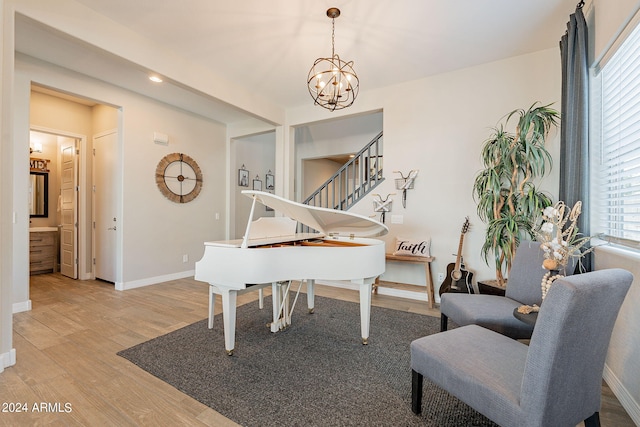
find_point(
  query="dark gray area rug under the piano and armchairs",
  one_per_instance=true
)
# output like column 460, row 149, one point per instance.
column 315, row 373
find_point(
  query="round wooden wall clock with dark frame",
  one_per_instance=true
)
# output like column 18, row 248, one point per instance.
column 179, row 178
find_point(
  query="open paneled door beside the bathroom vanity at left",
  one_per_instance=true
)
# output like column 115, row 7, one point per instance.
column 69, row 207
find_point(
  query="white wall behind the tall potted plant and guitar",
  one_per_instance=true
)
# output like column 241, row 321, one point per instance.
column 438, row 125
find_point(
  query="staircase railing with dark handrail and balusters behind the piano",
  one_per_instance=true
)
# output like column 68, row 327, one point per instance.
column 353, row 180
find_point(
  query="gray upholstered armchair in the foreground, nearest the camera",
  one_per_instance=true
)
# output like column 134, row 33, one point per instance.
column 555, row 381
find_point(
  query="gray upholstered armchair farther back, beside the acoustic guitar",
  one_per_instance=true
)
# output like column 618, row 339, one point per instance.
column 496, row 312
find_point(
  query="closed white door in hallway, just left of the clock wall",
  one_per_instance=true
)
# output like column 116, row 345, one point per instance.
column 105, row 221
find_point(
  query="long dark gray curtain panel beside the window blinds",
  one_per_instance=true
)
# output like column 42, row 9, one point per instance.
column 574, row 122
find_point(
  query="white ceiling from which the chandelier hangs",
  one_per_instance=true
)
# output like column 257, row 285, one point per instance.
column 268, row 46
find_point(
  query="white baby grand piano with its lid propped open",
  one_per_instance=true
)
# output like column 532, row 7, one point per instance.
column 271, row 252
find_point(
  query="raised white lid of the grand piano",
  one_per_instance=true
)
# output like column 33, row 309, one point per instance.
column 324, row 220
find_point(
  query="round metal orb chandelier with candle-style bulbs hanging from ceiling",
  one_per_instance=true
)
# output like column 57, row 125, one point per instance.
column 332, row 82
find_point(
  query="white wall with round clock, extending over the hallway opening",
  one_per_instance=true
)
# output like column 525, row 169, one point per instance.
column 155, row 232
